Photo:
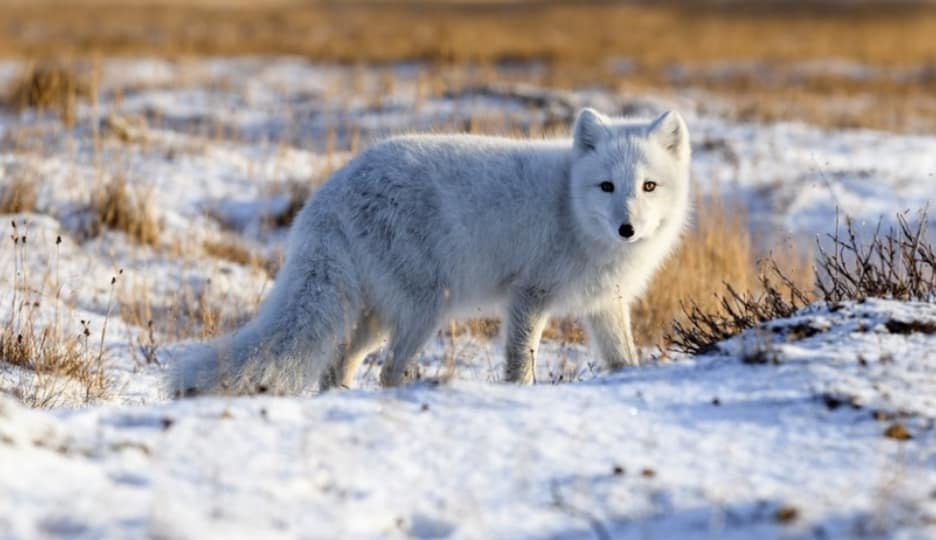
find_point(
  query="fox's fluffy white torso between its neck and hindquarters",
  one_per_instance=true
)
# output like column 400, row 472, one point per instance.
column 464, row 213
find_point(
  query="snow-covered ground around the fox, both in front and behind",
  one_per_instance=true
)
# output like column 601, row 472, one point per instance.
column 708, row 446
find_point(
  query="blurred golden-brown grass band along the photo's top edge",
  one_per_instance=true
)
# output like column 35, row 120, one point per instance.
column 576, row 33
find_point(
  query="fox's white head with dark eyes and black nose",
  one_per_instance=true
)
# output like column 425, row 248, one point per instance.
column 629, row 179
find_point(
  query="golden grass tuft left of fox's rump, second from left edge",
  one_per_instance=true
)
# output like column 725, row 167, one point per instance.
column 117, row 206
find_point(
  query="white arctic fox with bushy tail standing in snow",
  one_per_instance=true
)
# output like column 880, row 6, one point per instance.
column 420, row 228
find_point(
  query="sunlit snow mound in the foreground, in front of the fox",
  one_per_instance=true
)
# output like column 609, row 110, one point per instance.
column 816, row 425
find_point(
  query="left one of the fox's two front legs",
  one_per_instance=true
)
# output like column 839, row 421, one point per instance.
column 525, row 323
